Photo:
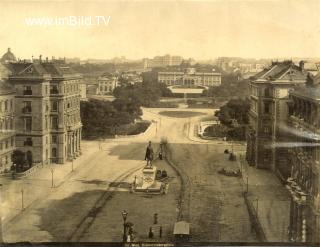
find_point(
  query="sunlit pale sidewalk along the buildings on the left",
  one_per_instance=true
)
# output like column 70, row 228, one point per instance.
column 19, row 194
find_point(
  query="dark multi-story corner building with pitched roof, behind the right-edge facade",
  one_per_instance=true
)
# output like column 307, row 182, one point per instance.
column 268, row 114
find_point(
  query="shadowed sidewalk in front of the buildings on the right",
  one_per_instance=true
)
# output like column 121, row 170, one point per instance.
column 269, row 199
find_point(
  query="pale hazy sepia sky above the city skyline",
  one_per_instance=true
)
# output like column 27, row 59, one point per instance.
column 137, row 29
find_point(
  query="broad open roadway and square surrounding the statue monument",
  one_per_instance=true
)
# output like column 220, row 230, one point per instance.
column 86, row 204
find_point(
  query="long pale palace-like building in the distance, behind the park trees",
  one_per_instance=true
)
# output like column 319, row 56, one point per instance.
column 190, row 78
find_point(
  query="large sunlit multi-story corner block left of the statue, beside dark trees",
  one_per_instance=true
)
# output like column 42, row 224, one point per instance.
column 47, row 111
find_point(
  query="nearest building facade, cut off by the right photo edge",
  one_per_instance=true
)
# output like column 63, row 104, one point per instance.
column 304, row 159
